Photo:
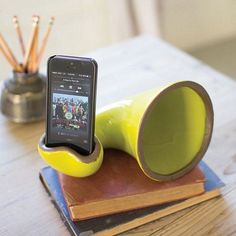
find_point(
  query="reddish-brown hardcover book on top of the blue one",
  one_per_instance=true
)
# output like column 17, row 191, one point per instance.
column 120, row 185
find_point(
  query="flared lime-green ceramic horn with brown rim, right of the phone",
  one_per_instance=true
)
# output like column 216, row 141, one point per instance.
column 167, row 130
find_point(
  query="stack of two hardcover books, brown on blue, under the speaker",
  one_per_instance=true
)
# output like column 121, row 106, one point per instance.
column 120, row 197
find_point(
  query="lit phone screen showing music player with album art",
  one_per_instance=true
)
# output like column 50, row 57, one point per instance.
column 70, row 98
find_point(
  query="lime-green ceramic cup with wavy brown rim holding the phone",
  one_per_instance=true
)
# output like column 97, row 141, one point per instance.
column 69, row 161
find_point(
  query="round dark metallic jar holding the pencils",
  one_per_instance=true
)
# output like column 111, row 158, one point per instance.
column 23, row 97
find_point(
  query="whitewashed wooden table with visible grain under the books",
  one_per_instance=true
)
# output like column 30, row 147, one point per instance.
column 125, row 69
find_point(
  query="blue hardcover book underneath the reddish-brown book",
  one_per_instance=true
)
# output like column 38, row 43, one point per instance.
column 121, row 222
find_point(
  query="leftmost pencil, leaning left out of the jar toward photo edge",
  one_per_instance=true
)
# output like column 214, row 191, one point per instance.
column 9, row 55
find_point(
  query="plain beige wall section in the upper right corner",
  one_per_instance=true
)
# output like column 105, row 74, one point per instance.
column 194, row 23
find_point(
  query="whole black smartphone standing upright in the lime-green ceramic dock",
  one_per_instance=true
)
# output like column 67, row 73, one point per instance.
column 71, row 101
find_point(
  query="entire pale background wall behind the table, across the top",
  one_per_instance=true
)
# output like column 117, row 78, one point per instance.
column 84, row 25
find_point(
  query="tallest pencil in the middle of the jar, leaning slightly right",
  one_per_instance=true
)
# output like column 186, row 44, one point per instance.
column 31, row 42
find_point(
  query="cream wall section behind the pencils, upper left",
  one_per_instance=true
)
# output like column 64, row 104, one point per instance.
column 80, row 25
